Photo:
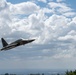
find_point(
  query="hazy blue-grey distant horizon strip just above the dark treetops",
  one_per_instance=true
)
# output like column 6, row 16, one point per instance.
column 32, row 71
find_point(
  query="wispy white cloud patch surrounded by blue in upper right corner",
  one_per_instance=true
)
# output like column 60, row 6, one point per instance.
column 61, row 8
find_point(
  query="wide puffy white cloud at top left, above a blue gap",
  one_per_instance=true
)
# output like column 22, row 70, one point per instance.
column 24, row 8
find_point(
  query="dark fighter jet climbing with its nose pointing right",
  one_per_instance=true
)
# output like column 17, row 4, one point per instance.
column 19, row 42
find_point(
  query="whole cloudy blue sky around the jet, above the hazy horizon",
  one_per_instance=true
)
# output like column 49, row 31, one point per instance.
column 51, row 22
